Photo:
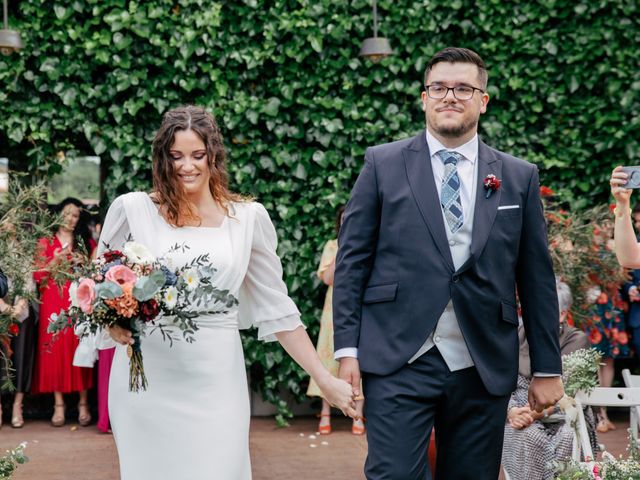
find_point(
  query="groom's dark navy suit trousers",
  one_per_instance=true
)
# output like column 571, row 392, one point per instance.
column 403, row 407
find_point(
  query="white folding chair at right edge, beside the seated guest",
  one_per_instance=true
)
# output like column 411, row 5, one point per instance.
column 603, row 397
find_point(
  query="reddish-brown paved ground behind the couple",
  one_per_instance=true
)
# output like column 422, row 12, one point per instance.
column 284, row 454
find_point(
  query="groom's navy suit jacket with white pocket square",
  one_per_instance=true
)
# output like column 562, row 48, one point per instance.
column 394, row 273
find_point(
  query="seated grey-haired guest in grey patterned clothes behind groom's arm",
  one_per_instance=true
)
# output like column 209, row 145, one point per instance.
column 532, row 440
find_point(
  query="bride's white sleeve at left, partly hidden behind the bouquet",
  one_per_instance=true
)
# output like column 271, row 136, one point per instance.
column 115, row 232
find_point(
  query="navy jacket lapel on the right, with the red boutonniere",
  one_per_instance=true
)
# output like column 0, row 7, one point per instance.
column 485, row 208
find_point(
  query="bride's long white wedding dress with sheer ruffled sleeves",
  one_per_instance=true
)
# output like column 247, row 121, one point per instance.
column 192, row 422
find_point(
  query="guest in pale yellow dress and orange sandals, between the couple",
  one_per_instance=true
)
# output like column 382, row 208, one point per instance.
column 325, row 337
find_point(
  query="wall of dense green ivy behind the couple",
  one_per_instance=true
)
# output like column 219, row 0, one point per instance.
column 298, row 107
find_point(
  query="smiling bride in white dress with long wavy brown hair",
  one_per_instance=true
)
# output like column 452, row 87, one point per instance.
column 192, row 422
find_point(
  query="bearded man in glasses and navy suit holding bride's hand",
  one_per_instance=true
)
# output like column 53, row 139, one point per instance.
column 425, row 287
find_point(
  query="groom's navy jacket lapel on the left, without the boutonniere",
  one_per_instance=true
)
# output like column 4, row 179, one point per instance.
column 417, row 160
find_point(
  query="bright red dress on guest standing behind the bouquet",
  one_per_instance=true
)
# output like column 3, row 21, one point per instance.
column 54, row 371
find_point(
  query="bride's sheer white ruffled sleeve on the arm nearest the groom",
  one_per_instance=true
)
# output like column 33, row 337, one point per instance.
column 264, row 301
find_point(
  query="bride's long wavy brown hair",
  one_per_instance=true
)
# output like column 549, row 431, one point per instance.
column 168, row 193
